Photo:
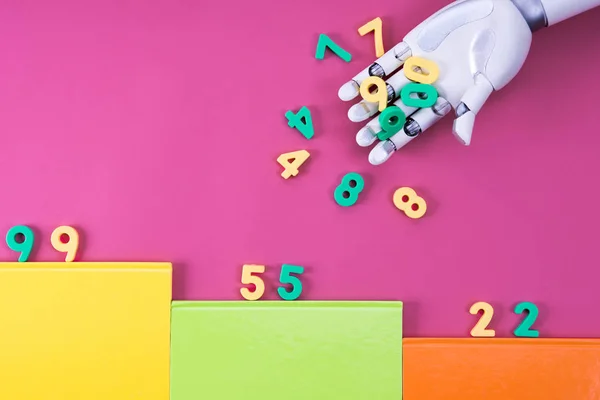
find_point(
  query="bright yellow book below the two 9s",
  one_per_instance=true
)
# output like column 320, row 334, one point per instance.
column 84, row 331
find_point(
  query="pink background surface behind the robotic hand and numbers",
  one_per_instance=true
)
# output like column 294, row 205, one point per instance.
column 154, row 127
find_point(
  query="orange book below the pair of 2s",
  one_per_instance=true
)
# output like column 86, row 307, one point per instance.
column 501, row 369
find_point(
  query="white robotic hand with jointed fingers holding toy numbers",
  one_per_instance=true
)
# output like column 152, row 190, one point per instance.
column 479, row 47
